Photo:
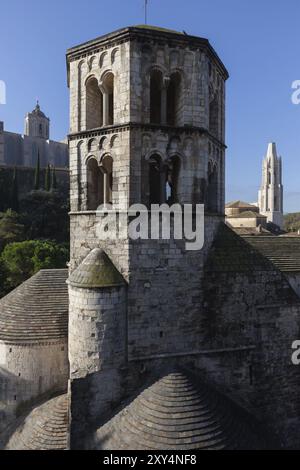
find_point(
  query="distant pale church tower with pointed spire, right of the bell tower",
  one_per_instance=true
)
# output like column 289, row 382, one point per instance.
column 270, row 196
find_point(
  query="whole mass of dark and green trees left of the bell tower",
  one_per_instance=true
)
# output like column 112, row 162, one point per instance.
column 36, row 237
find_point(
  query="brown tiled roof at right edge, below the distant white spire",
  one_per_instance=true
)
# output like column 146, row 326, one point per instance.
column 283, row 252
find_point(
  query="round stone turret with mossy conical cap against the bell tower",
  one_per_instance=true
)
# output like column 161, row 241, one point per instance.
column 97, row 340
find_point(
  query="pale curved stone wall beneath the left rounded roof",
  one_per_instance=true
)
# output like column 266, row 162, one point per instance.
column 30, row 371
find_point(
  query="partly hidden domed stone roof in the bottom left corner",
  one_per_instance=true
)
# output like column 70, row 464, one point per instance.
column 45, row 428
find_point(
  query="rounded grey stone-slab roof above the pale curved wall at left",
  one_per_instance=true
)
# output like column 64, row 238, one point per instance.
column 37, row 310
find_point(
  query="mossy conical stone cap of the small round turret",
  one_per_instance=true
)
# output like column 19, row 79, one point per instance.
column 96, row 271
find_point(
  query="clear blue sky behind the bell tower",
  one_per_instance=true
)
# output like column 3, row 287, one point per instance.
column 258, row 40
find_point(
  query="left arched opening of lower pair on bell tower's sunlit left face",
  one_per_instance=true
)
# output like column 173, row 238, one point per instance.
column 95, row 185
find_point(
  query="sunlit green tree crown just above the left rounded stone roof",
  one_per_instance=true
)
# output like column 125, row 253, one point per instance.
column 23, row 259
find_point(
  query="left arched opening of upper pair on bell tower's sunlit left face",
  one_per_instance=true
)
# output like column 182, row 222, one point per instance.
column 94, row 104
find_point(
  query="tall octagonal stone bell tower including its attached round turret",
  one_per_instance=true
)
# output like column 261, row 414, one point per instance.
column 147, row 126
